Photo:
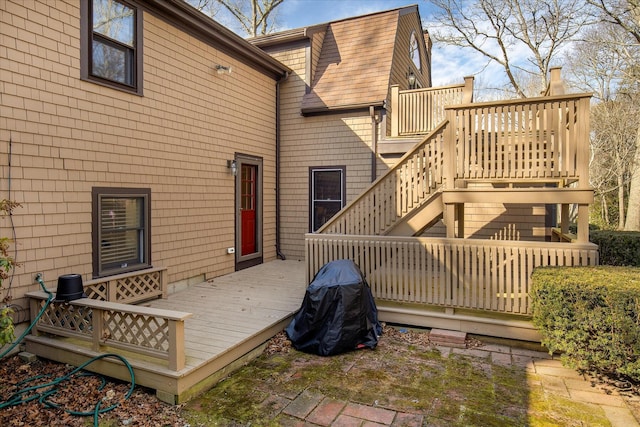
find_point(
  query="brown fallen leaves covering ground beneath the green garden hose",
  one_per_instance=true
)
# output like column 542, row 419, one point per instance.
column 81, row 393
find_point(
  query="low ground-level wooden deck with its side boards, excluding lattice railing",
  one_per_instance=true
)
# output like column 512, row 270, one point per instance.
column 233, row 317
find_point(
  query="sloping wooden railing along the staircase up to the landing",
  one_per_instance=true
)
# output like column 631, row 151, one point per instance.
column 407, row 185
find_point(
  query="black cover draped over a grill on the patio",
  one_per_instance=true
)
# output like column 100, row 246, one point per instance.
column 338, row 313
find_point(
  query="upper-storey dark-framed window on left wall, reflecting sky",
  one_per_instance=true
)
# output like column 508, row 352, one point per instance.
column 112, row 44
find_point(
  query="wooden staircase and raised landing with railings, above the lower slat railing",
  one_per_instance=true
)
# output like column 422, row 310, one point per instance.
column 529, row 150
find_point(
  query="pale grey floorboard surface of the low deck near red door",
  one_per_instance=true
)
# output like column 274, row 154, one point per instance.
column 230, row 309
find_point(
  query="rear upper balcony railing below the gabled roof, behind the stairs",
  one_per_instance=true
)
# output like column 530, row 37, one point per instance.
column 419, row 111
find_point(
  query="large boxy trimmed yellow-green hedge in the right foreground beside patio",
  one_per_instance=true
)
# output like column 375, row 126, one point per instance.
column 591, row 315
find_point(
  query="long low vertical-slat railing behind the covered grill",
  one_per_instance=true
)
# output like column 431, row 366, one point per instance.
column 485, row 275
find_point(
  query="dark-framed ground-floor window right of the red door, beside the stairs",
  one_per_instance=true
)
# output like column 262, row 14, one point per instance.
column 327, row 194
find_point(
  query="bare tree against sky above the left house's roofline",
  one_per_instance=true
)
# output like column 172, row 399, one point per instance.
column 255, row 17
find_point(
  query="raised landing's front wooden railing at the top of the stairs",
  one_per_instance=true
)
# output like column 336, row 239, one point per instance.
column 537, row 138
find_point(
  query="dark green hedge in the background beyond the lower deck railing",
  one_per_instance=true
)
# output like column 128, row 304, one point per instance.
column 617, row 247
